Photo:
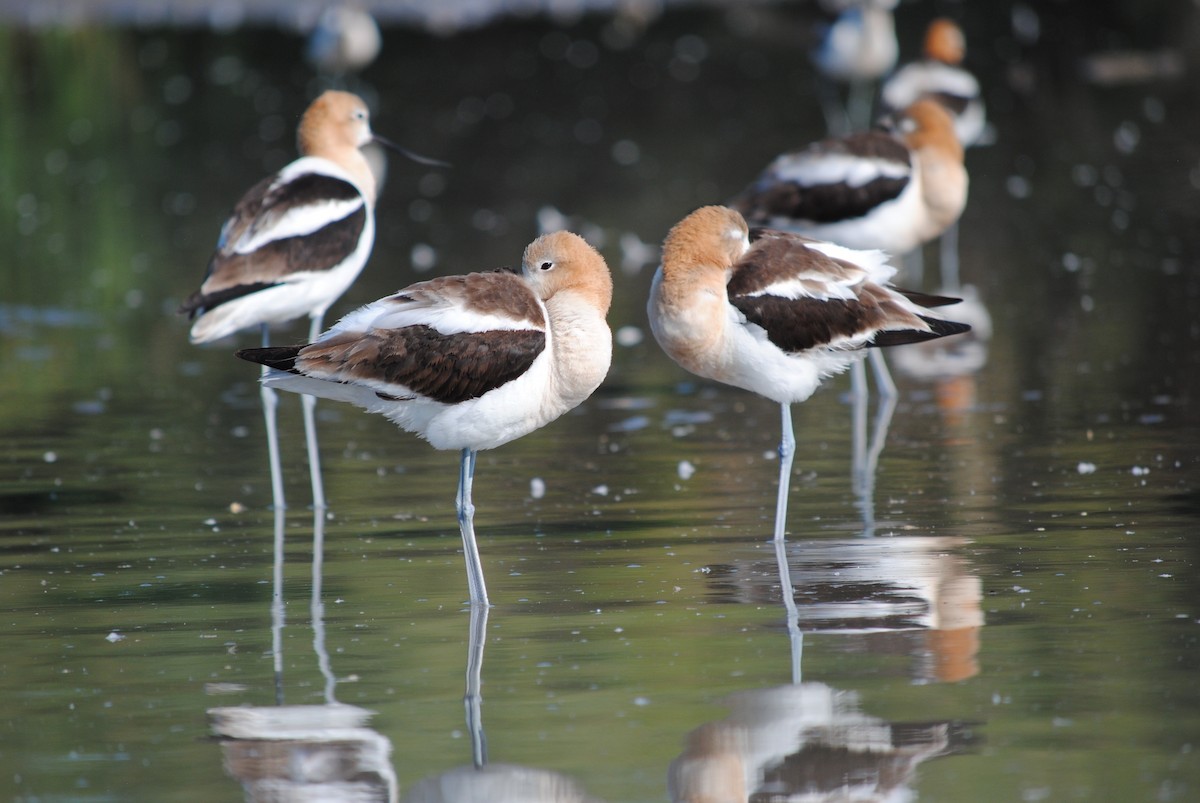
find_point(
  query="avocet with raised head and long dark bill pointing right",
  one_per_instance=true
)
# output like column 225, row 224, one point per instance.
column 296, row 243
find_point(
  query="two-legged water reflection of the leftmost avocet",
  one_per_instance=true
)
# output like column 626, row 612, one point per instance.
column 310, row 752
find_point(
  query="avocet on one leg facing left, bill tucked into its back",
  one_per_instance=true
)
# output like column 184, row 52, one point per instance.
column 776, row 313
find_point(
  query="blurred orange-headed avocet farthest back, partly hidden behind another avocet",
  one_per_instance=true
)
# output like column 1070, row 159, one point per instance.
column 940, row 75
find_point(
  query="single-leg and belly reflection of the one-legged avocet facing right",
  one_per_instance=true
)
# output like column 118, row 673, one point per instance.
column 483, row 782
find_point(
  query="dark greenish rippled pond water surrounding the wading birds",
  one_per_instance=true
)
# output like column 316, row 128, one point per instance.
column 1012, row 592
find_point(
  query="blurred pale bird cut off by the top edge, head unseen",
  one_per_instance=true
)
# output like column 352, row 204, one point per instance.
column 859, row 49
